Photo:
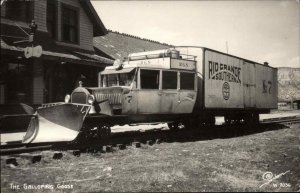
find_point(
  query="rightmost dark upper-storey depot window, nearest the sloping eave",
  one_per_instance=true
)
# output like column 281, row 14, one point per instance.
column 69, row 24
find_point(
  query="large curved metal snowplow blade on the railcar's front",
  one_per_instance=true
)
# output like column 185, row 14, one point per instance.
column 56, row 122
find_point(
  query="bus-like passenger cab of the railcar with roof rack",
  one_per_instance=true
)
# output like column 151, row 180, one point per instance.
column 155, row 82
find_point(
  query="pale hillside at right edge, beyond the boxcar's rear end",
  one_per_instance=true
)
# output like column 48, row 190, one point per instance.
column 288, row 83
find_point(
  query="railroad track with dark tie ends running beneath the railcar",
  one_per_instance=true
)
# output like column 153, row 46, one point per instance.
column 122, row 140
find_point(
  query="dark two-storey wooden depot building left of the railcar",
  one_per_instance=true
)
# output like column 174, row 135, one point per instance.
column 61, row 54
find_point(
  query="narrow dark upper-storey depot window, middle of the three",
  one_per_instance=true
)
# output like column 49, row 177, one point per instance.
column 51, row 18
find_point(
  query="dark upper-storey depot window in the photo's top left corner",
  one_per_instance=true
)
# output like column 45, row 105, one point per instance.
column 19, row 10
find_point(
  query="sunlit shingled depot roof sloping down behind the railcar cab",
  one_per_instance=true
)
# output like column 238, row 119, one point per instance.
column 117, row 45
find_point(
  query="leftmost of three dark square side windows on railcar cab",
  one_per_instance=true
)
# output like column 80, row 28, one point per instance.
column 149, row 79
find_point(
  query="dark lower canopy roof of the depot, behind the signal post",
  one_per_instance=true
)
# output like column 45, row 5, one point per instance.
column 10, row 44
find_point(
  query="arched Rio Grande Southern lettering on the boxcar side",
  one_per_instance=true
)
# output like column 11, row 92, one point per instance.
column 219, row 71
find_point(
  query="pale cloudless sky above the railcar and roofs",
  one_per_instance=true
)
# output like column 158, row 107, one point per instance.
column 256, row 30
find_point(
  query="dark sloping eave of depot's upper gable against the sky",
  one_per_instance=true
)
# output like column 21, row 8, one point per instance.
column 99, row 28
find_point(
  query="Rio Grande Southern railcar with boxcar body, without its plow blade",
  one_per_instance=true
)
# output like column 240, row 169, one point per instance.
column 181, row 86
